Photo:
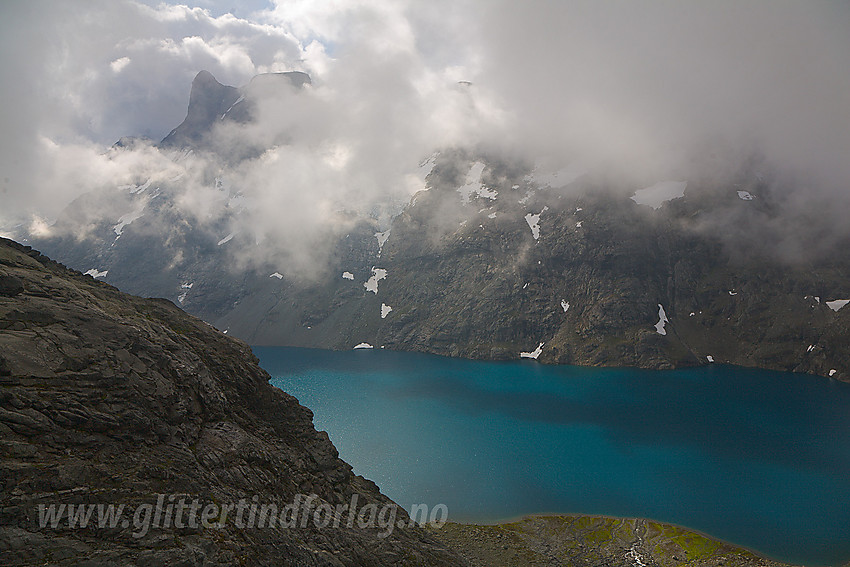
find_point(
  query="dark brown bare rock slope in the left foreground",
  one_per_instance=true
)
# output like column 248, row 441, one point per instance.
column 107, row 399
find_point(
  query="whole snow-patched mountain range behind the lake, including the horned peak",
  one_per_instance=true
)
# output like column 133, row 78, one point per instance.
column 494, row 258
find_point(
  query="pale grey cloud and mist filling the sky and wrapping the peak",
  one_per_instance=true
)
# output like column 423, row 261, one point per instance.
column 639, row 93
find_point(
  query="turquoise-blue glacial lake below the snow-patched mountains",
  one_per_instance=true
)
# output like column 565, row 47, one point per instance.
column 757, row 458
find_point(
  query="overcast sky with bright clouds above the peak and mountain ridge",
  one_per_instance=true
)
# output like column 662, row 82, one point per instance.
column 633, row 84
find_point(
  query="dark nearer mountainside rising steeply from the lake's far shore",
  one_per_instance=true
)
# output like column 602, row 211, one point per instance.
column 589, row 274
